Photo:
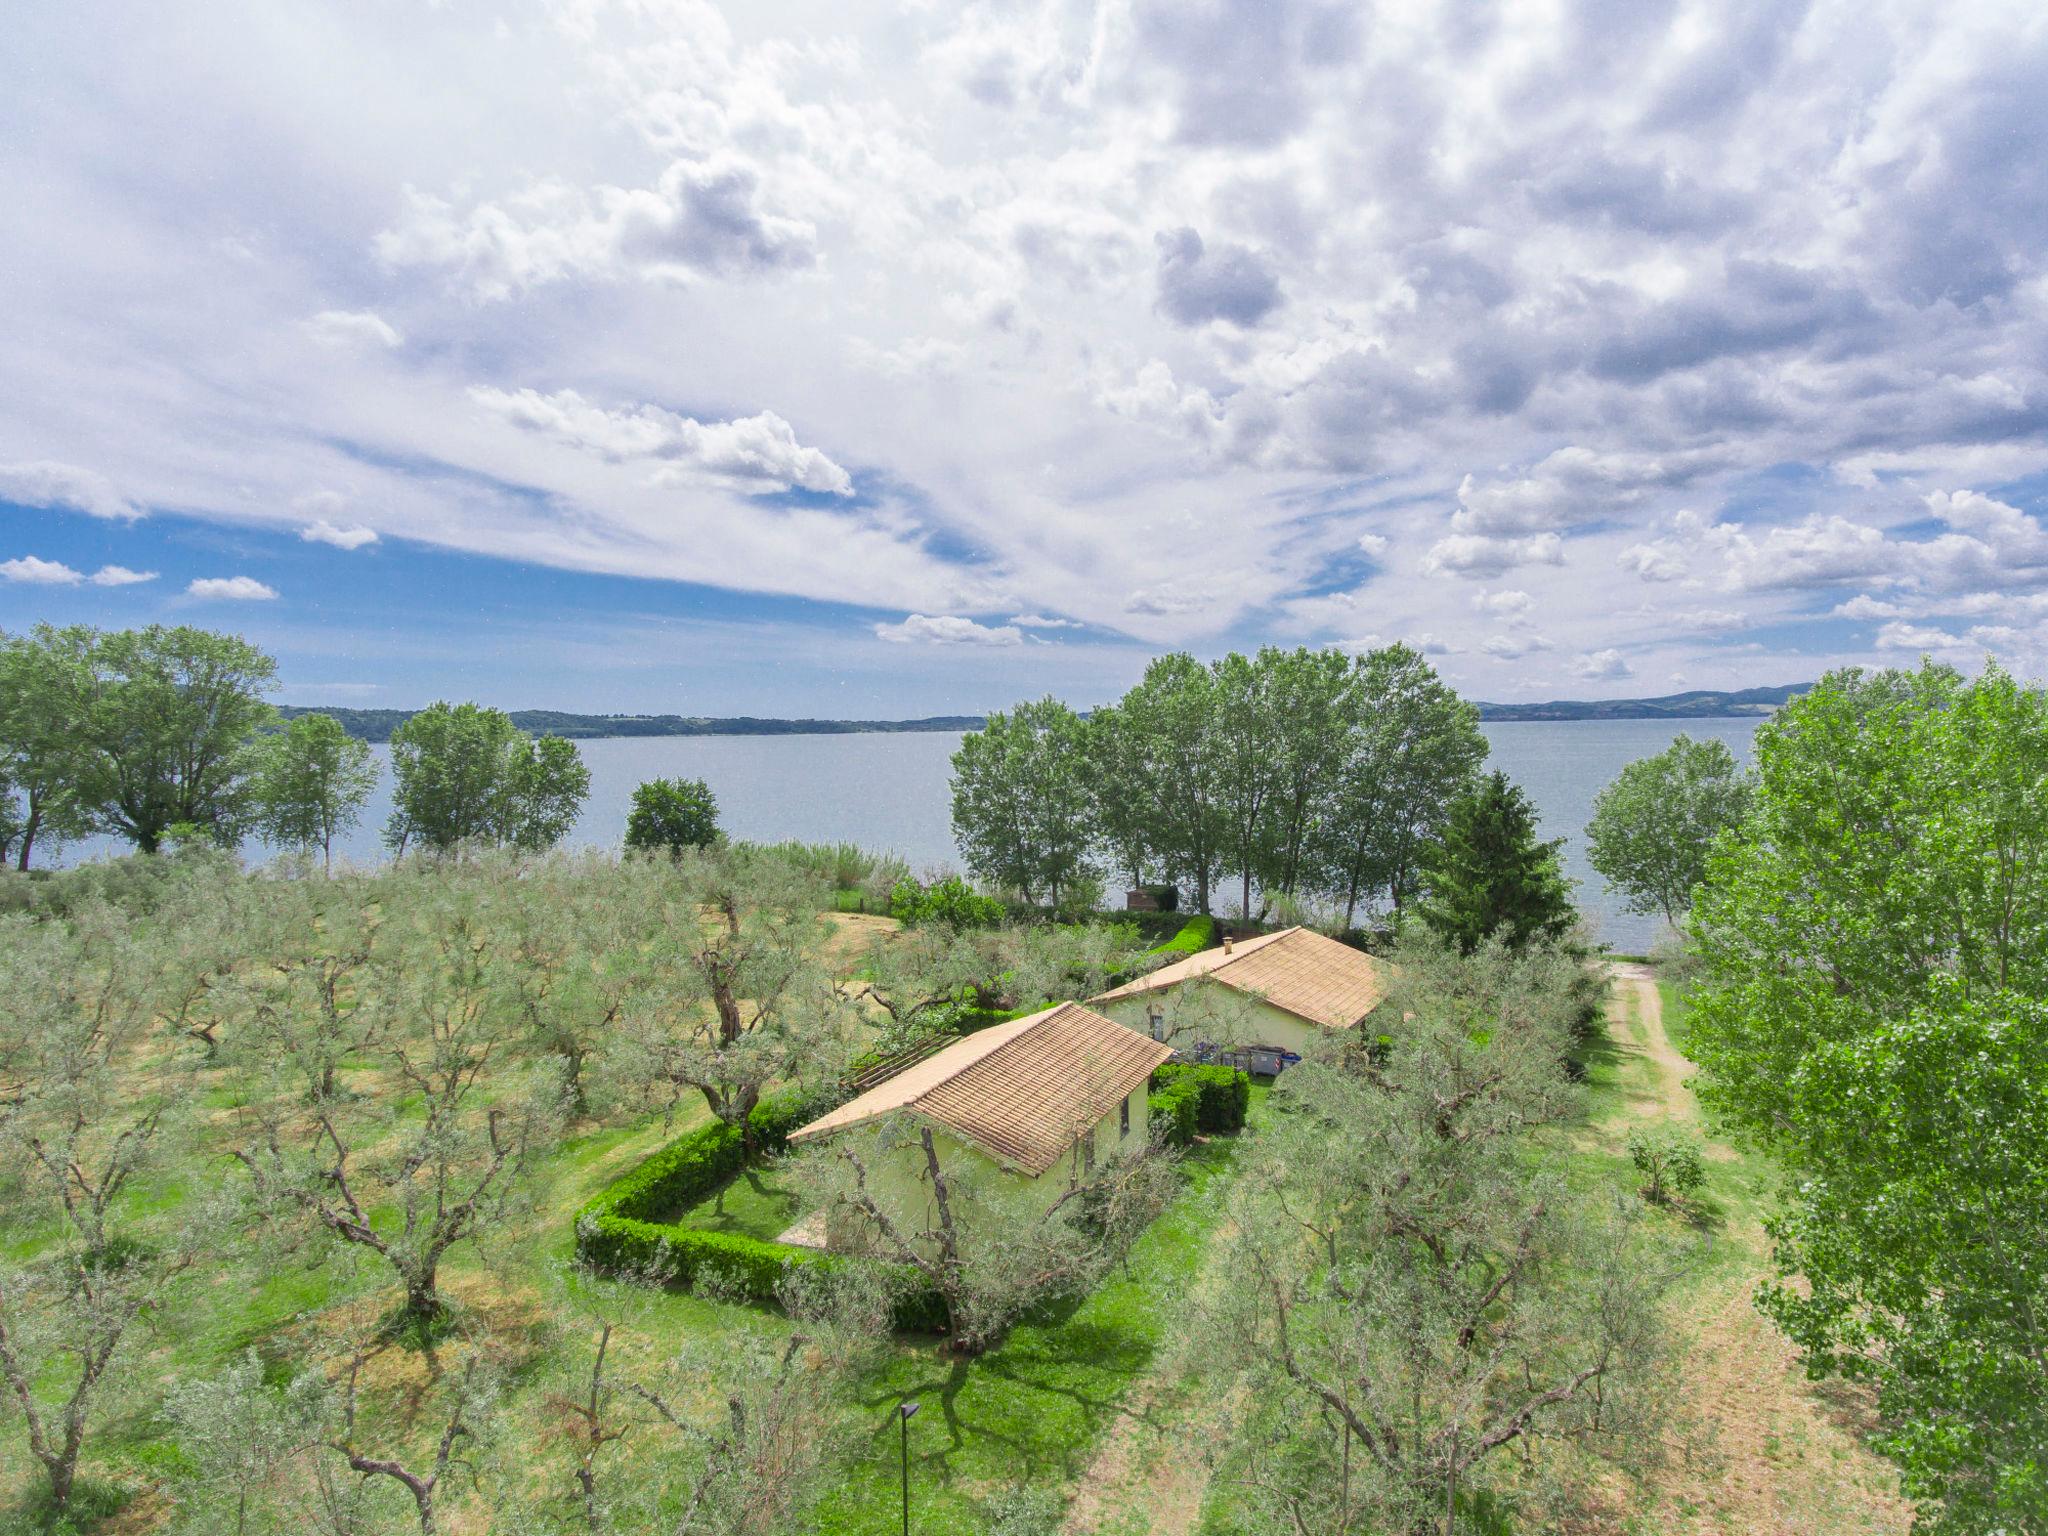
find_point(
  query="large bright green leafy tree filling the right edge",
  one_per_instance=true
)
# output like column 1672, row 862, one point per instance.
column 1871, row 1007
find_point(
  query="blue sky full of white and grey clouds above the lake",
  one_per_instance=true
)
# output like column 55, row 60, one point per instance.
column 900, row 359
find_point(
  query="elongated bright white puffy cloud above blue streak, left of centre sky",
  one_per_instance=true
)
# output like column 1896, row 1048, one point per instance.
column 755, row 452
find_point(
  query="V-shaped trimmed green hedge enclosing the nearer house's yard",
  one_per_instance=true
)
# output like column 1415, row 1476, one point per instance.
column 620, row 1228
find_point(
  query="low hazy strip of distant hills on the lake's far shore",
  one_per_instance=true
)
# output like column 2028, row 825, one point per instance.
column 1697, row 706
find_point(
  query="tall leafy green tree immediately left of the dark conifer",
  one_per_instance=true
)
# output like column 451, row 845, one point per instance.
column 1416, row 749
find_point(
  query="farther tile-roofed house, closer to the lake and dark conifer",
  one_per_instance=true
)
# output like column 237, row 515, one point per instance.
column 1254, row 1005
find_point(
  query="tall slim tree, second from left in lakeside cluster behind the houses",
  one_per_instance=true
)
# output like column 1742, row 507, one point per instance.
column 1175, row 767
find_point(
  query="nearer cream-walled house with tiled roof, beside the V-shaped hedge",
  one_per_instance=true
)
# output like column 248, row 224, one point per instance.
column 1019, row 1113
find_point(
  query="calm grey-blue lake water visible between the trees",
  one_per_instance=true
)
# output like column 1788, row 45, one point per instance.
column 892, row 792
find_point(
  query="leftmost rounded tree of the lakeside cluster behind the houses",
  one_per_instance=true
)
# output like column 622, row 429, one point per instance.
column 1021, row 802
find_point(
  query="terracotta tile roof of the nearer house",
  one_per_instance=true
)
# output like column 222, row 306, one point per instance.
column 1019, row 1091
